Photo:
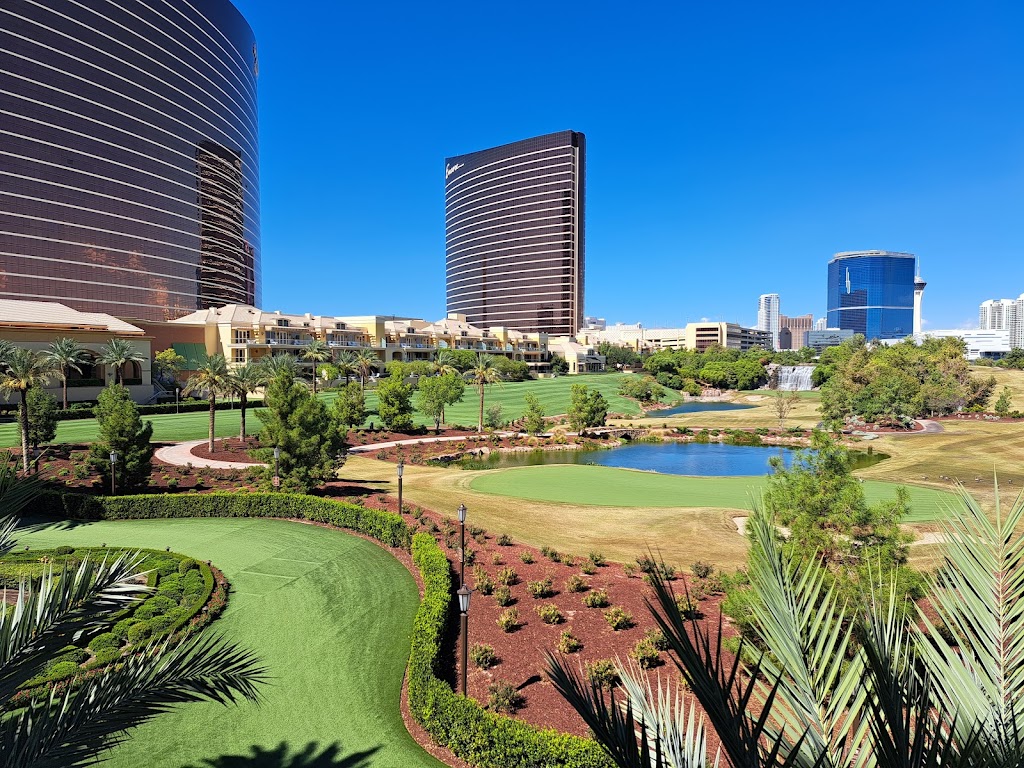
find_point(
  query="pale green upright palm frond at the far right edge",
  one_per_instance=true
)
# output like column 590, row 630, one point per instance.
column 979, row 594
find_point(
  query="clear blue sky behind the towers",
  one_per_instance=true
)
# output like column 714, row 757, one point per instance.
column 733, row 147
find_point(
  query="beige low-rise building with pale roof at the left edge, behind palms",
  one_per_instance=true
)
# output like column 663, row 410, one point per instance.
column 35, row 325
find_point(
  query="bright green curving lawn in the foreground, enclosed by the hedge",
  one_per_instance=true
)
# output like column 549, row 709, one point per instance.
column 331, row 616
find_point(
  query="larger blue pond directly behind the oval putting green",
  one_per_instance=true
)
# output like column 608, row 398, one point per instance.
column 707, row 459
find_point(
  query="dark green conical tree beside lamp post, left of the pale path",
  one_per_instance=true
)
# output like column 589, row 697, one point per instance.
column 122, row 431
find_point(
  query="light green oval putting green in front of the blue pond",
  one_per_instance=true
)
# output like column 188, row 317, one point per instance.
column 576, row 484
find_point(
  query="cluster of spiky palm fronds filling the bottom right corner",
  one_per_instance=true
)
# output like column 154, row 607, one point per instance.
column 905, row 698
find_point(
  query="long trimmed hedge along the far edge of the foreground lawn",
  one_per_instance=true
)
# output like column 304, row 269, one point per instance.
column 386, row 527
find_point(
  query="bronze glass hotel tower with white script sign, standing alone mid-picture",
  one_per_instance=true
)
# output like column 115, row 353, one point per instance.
column 515, row 235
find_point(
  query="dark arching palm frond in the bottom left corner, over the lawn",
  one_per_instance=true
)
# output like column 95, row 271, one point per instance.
column 73, row 730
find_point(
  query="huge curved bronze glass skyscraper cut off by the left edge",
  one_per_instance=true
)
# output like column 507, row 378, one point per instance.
column 130, row 172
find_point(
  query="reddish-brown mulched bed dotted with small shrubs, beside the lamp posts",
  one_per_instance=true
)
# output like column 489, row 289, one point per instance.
column 522, row 654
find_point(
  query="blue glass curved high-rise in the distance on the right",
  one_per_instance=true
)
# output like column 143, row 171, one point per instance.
column 872, row 293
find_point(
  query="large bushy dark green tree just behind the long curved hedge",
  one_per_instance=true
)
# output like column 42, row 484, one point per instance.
column 306, row 433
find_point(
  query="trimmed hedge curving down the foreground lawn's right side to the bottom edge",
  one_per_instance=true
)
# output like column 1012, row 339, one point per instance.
column 479, row 737
